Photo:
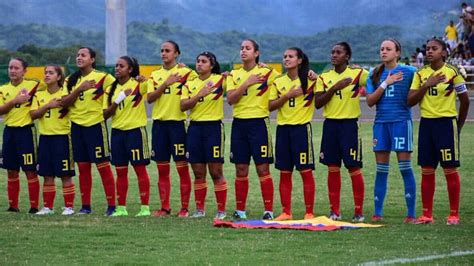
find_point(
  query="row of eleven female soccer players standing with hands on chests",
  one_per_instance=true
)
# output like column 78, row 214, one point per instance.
column 88, row 97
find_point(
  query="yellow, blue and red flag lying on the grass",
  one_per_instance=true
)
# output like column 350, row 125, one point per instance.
column 321, row 223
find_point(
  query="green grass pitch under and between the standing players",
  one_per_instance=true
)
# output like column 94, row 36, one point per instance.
column 95, row 239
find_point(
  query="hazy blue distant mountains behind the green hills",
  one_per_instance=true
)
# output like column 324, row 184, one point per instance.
column 287, row 17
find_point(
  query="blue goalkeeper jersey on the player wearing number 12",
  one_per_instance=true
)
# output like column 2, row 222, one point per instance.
column 392, row 106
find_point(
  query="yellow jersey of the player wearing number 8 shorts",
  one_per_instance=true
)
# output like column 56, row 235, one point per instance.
column 298, row 110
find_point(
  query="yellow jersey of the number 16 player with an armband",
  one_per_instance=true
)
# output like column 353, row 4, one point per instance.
column 439, row 101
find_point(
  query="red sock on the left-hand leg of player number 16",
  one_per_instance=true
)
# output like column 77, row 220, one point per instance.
column 427, row 189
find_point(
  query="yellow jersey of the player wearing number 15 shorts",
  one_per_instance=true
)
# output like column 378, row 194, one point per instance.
column 167, row 107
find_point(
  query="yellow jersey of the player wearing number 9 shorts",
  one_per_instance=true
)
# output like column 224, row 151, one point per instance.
column 254, row 102
